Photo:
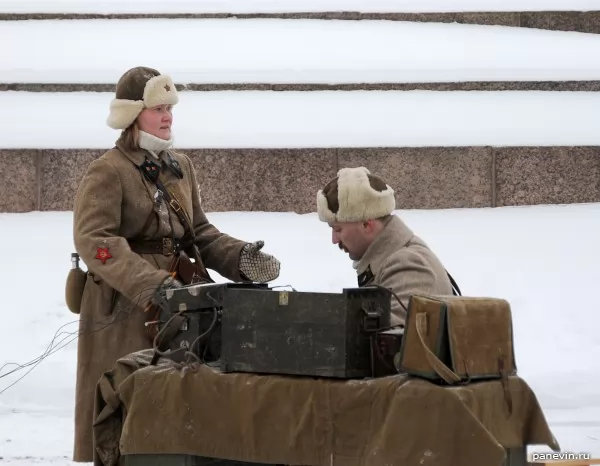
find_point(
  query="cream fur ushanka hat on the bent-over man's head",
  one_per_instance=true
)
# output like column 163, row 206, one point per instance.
column 355, row 196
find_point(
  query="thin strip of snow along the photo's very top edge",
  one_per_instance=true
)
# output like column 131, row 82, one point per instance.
column 270, row 6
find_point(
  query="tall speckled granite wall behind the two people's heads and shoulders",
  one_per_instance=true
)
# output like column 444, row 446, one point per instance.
column 283, row 180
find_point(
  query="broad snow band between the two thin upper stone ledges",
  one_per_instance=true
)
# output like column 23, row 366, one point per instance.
column 293, row 51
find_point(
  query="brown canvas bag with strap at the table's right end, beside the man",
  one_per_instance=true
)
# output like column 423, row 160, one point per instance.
column 456, row 339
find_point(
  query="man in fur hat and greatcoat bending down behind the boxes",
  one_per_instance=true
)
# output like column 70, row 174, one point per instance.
column 358, row 206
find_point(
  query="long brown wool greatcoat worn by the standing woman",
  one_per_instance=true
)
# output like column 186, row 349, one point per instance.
column 113, row 204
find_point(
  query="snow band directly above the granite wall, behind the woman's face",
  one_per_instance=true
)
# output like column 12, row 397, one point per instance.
column 317, row 119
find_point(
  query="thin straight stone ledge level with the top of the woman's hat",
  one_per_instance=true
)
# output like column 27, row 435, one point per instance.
column 569, row 86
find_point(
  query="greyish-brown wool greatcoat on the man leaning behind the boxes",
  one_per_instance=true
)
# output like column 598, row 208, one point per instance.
column 401, row 261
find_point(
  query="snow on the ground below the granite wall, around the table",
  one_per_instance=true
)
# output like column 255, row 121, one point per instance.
column 542, row 259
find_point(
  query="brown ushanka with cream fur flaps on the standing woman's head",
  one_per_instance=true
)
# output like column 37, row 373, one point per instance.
column 139, row 88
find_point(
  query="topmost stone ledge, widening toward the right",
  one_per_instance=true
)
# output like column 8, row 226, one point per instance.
column 581, row 21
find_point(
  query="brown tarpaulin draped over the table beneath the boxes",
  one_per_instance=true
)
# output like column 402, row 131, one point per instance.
column 169, row 408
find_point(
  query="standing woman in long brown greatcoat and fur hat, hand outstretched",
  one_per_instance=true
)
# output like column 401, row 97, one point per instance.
column 127, row 235
